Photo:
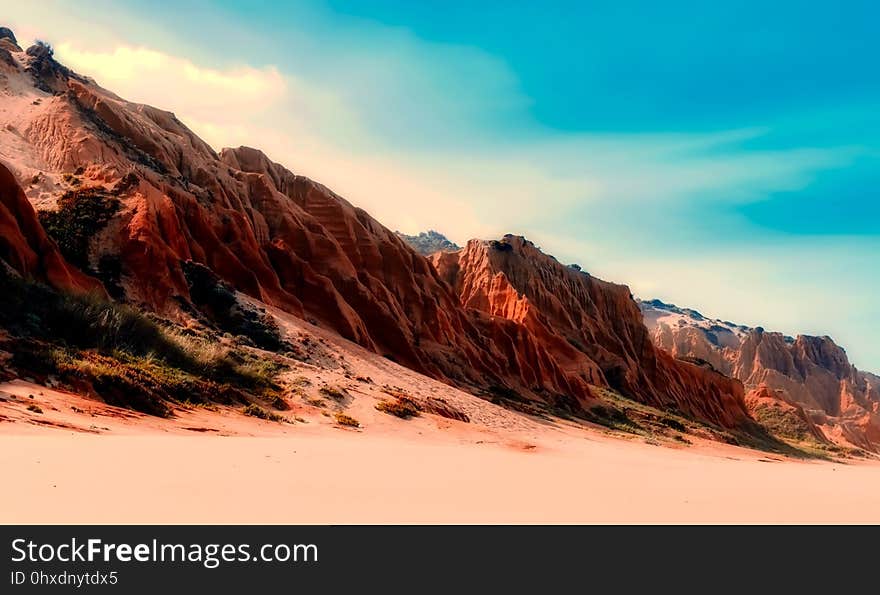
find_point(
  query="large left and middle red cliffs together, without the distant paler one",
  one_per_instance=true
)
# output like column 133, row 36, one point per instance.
column 137, row 200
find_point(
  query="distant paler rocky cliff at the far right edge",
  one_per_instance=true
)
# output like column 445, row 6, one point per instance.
column 812, row 375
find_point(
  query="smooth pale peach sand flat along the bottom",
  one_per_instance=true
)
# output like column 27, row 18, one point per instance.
column 330, row 475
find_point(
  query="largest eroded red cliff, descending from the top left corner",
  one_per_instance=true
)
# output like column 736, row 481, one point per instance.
column 278, row 237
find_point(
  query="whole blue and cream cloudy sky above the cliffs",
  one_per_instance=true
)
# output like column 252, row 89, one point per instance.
column 725, row 158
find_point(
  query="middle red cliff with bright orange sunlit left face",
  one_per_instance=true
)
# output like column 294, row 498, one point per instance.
column 593, row 328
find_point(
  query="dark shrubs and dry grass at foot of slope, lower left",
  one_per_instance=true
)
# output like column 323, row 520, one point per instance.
column 122, row 355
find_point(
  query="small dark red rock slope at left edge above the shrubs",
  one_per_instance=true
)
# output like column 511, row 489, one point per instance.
column 27, row 250
